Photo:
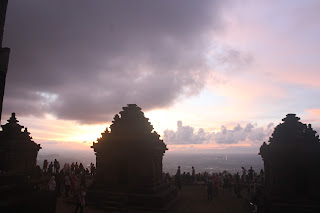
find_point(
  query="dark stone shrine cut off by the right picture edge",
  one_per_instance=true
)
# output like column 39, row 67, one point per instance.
column 291, row 163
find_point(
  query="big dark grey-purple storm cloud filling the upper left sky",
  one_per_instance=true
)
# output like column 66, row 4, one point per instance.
column 84, row 60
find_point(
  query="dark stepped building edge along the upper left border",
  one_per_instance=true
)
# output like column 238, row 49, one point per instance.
column 4, row 52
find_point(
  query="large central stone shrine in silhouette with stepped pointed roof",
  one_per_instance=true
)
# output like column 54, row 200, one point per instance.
column 129, row 164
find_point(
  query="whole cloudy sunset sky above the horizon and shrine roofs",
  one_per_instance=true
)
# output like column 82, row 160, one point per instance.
column 212, row 76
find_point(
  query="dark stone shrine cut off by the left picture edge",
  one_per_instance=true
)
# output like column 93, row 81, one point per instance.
column 18, row 153
